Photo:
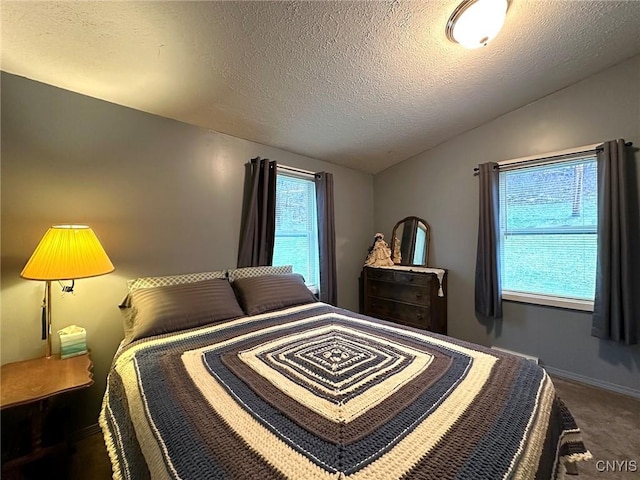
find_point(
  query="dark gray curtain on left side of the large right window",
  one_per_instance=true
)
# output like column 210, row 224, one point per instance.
column 487, row 289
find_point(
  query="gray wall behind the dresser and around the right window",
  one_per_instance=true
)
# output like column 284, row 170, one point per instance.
column 439, row 186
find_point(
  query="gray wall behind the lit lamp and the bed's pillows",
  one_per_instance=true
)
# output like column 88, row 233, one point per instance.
column 163, row 197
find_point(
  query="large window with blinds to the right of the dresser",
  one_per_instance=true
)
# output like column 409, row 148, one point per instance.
column 548, row 232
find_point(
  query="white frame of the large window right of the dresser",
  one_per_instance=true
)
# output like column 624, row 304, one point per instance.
column 567, row 156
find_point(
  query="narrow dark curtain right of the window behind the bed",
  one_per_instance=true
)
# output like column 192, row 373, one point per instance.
column 326, row 238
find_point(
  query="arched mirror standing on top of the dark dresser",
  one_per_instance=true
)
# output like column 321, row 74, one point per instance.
column 410, row 242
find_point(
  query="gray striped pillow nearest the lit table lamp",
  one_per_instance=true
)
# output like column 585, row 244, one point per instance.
column 166, row 309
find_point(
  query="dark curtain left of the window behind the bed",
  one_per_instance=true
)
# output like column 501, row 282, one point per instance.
column 257, row 234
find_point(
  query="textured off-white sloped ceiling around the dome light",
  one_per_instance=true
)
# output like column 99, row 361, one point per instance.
column 361, row 84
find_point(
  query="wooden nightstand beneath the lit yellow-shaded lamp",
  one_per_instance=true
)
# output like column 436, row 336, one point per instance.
column 34, row 383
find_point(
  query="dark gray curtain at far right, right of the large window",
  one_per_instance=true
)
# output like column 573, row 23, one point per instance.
column 616, row 309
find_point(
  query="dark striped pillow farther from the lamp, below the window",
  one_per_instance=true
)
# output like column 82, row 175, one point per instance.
column 271, row 292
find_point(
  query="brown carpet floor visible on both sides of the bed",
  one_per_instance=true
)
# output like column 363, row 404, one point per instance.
column 610, row 423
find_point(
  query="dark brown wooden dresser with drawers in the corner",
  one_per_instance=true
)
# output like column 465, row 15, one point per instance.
column 406, row 297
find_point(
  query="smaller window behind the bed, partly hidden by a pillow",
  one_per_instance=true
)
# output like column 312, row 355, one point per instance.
column 296, row 241
